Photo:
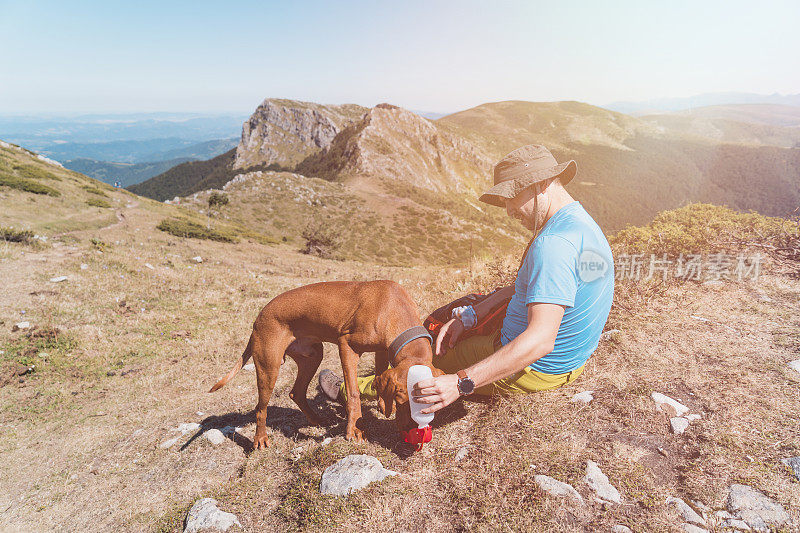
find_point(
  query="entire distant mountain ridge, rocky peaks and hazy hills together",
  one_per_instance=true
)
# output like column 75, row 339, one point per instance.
column 629, row 168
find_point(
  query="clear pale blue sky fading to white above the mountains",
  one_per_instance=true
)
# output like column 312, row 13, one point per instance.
column 435, row 56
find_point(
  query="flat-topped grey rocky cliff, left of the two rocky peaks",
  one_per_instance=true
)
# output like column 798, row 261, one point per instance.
column 284, row 132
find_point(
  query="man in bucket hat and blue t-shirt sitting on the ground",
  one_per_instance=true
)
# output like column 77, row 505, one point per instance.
column 559, row 302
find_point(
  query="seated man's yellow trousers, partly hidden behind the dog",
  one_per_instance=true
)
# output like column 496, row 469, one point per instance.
column 473, row 349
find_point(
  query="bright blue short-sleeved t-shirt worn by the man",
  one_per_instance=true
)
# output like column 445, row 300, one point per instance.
column 569, row 264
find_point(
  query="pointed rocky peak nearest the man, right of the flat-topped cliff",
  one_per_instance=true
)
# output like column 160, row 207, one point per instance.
column 398, row 146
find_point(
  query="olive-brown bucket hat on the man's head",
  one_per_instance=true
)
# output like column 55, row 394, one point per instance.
column 522, row 168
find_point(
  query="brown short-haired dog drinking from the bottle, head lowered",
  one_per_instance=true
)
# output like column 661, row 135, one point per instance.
column 357, row 316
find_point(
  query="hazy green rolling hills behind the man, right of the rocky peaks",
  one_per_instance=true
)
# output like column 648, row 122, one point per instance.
column 628, row 169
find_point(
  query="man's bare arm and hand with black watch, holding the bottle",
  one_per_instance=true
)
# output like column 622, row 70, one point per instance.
column 532, row 344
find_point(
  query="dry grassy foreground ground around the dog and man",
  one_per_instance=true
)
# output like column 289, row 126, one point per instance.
column 82, row 432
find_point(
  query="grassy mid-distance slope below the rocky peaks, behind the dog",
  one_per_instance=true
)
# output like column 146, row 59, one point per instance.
column 408, row 226
